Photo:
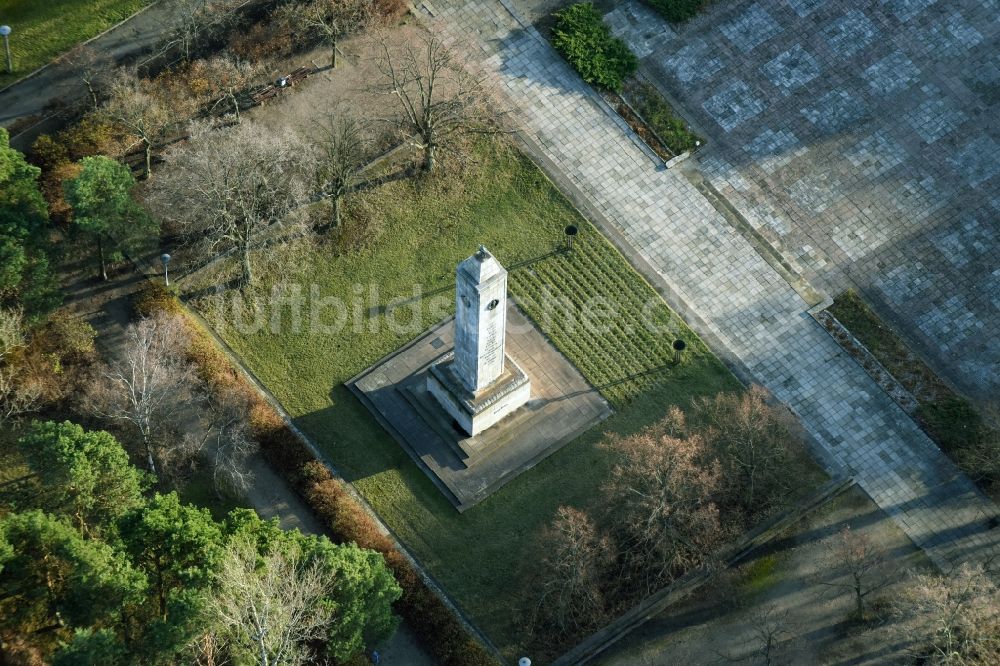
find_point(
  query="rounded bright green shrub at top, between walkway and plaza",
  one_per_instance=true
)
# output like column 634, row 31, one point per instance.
column 586, row 42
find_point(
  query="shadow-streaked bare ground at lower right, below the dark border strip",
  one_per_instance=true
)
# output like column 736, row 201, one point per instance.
column 786, row 584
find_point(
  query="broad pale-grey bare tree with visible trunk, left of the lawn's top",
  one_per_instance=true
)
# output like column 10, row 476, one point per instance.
column 228, row 185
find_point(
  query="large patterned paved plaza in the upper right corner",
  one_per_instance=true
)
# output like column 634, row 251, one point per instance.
column 862, row 140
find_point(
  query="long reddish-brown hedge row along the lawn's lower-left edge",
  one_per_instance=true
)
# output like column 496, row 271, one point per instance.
column 440, row 631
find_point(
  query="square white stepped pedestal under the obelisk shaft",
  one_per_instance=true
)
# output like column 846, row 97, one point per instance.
column 476, row 411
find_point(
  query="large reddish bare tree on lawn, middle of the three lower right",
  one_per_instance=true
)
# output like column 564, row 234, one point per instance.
column 661, row 493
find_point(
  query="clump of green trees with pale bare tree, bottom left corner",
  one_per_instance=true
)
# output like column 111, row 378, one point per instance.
column 95, row 571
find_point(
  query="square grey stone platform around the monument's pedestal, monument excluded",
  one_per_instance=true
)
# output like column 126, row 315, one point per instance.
column 470, row 469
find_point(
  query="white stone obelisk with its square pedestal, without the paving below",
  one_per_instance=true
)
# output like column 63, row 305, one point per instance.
column 477, row 383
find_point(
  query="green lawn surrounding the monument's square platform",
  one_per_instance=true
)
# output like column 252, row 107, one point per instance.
column 505, row 202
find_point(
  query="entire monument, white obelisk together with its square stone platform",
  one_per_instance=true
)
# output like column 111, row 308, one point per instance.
column 468, row 414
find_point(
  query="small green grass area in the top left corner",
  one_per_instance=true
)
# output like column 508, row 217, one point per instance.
column 43, row 29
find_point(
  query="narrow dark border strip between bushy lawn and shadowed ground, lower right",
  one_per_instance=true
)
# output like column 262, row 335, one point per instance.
column 656, row 603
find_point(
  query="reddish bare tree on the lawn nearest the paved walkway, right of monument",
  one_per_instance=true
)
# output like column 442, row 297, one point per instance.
column 753, row 441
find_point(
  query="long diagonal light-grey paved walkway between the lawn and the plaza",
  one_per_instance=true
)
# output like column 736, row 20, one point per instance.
column 716, row 273
